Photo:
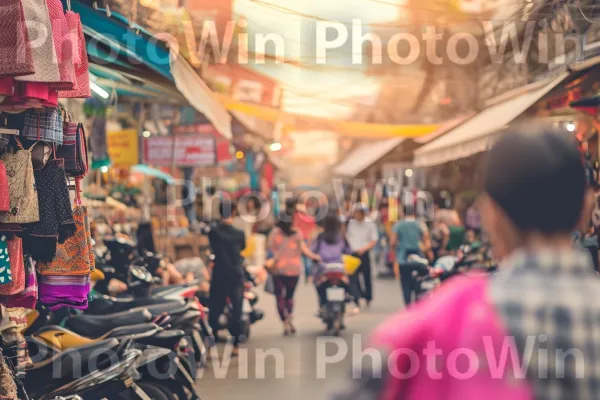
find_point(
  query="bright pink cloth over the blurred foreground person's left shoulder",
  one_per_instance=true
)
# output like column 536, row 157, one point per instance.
column 459, row 316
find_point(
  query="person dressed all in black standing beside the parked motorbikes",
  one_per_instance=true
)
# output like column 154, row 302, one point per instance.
column 228, row 273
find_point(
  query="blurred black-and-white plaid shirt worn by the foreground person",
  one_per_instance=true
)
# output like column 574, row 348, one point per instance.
column 547, row 301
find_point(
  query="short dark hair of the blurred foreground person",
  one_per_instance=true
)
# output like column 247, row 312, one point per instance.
column 536, row 175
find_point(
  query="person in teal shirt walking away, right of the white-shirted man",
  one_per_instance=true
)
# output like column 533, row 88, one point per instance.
column 407, row 238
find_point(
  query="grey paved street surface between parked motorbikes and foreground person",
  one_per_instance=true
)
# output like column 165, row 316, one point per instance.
column 292, row 375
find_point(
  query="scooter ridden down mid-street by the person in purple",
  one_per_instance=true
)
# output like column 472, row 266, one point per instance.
column 334, row 286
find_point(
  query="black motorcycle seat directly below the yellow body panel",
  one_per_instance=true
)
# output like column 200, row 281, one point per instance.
column 72, row 362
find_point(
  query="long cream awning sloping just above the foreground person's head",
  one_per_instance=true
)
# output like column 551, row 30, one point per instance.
column 476, row 134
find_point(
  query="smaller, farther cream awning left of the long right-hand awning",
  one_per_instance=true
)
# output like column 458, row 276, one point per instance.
column 364, row 156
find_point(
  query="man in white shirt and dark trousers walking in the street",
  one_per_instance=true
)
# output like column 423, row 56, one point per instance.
column 362, row 236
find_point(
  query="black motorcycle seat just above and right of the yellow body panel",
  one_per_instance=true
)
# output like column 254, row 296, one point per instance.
column 94, row 326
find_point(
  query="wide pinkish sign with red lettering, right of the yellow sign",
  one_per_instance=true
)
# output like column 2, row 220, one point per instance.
column 189, row 150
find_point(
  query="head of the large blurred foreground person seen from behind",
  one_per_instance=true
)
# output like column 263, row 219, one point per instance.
column 534, row 189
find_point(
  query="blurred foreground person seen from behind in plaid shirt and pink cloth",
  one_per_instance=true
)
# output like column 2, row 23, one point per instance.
column 538, row 308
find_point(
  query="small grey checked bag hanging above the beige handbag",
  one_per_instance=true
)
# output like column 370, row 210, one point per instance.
column 45, row 124
